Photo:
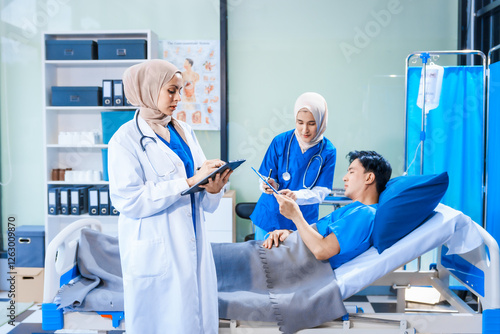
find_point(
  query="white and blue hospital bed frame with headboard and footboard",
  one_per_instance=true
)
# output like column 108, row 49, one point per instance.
column 477, row 270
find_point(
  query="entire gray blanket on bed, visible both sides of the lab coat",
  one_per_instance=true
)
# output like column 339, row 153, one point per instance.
column 286, row 285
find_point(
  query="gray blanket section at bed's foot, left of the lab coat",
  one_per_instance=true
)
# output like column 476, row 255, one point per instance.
column 100, row 286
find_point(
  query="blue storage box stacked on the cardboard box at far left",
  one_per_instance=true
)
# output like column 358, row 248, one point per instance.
column 30, row 246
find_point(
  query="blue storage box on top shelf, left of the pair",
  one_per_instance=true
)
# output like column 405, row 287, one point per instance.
column 70, row 49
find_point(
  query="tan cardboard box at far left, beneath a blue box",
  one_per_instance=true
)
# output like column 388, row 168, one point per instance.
column 29, row 284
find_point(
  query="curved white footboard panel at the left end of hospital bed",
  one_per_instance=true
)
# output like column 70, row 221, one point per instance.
column 60, row 255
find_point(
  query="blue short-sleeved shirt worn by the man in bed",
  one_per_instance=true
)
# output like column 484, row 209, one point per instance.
column 353, row 227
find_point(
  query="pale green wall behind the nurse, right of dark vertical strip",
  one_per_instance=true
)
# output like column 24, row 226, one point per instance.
column 351, row 52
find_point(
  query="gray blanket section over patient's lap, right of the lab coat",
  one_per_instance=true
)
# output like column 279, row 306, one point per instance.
column 286, row 285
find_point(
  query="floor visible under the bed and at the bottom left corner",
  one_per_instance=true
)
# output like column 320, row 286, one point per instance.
column 30, row 321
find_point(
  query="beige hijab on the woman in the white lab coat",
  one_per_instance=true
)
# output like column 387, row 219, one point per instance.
column 142, row 84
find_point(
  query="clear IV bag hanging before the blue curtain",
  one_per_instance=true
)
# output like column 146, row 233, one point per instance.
column 433, row 83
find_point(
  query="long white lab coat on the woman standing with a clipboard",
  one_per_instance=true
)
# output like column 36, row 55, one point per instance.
column 168, row 273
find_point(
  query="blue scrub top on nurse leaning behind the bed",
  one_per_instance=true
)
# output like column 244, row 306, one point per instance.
column 266, row 214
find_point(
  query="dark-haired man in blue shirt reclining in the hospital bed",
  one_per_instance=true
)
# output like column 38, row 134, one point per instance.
column 346, row 232
